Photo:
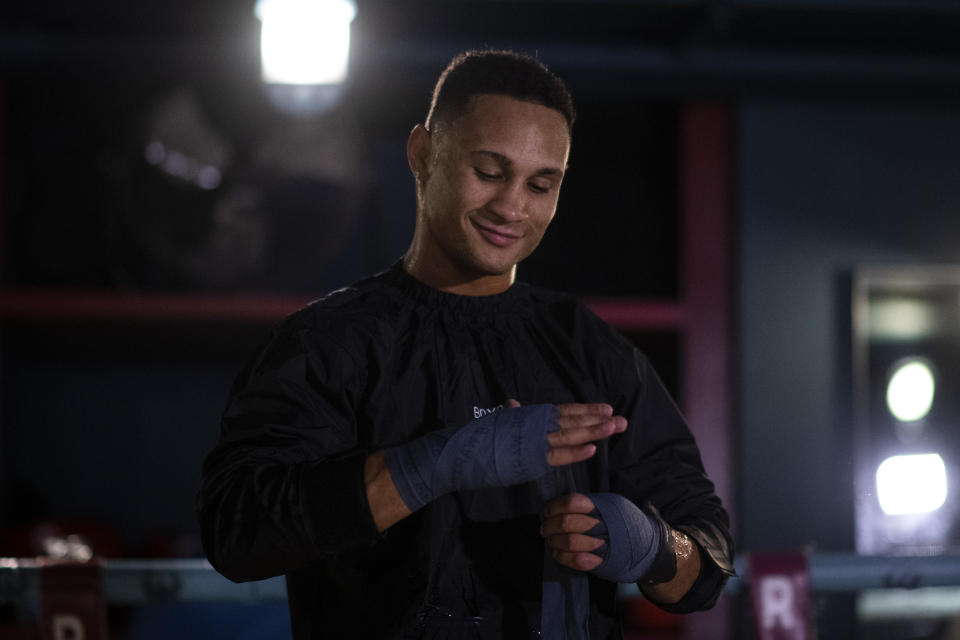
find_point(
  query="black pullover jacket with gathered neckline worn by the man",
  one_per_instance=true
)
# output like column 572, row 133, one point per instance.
column 380, row 363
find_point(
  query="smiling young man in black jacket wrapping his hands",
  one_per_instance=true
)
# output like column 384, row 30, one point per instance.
column 440, row 451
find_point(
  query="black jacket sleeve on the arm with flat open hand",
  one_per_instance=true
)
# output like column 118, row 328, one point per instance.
column 284, row 486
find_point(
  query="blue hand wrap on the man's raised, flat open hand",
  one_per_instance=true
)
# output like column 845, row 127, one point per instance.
column 503, row 448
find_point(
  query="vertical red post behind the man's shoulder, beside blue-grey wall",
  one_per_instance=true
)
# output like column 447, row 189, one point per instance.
column 705, row 237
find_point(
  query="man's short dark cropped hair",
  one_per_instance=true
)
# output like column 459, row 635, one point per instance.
column 497, row 72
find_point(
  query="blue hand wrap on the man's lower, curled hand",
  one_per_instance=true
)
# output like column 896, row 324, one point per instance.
column 638, row 545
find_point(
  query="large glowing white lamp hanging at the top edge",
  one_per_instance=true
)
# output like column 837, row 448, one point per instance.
column 305, row 42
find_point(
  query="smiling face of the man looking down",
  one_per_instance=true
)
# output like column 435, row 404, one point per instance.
column 491, row 187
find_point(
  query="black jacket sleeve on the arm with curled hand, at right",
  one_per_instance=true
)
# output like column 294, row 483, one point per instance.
column 656, row 461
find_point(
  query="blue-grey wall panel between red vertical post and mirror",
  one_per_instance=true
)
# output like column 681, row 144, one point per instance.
column 825, row 187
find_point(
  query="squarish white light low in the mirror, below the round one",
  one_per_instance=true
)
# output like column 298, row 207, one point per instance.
column 912, row 484
